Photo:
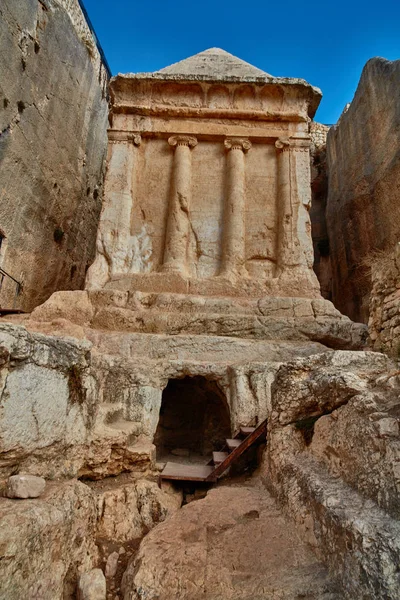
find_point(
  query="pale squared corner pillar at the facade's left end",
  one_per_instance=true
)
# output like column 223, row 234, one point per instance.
column 113, row 235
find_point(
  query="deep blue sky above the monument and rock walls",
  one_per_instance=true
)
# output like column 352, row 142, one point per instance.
column 326, row 43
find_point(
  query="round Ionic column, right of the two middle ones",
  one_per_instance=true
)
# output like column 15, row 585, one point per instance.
column 234, row 236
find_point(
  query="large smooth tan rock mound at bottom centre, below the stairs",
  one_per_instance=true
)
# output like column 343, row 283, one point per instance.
column 235, row 544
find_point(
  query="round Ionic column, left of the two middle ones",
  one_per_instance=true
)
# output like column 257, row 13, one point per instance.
column 178, row 226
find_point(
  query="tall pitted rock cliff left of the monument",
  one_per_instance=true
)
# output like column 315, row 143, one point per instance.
column 53, row 120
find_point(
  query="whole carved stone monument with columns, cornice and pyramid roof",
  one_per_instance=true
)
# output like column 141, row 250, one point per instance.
column 208, row 182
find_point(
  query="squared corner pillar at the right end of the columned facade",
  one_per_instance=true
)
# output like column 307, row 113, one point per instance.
column 294, row 245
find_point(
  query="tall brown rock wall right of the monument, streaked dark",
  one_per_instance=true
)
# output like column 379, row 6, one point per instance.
column 363, row 211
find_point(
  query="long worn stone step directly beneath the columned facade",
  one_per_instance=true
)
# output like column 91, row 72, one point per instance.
column 264, row 318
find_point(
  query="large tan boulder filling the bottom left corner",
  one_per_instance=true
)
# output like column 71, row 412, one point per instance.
column 46, row 542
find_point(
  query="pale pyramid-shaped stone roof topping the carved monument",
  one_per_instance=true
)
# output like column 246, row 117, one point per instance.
column 214, row 63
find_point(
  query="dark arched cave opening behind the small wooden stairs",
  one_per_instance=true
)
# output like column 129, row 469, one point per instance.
column 194, row 420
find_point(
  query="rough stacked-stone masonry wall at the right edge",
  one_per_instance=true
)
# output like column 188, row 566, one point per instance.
column 384, row 320
